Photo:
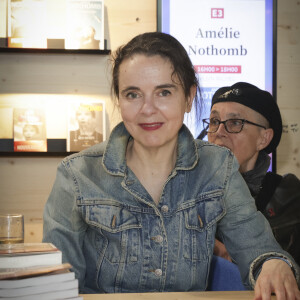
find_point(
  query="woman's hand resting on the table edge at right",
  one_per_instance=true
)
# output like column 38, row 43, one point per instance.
column 276, row 277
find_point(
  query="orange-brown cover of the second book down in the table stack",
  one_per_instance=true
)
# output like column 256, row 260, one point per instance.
column 18, row 273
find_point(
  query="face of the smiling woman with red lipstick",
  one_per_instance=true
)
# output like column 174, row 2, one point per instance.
column 152, row 104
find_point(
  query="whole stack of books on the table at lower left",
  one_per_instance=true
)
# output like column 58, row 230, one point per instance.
column 35, row 271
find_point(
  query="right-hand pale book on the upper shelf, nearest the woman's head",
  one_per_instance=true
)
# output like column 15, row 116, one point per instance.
column 84, row 24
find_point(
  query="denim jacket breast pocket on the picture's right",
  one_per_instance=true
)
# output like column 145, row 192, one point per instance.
column 200, row 219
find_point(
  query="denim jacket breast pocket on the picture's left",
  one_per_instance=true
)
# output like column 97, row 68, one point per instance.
column 117, row 236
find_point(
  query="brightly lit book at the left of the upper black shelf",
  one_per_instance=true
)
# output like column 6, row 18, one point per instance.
column 27, row 23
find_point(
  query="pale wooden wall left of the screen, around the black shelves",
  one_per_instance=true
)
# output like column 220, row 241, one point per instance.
column 25, row 182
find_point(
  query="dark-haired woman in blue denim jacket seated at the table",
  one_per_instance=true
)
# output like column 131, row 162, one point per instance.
column 139, row 213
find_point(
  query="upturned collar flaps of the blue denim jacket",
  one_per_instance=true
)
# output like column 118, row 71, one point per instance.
column 114, row 159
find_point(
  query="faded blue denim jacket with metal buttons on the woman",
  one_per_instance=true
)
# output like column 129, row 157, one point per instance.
column 118, row 240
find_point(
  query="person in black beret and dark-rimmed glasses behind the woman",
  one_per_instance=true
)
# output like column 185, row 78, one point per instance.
column 247, row 120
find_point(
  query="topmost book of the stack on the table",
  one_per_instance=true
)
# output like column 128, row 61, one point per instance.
column 15, row 256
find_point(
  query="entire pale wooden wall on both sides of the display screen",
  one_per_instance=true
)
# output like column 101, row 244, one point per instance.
column 25, row 183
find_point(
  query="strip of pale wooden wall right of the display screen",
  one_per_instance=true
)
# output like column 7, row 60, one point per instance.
column 288, row 85
